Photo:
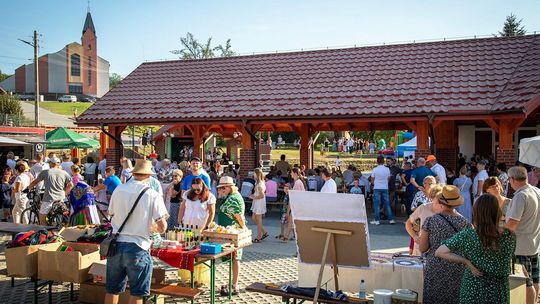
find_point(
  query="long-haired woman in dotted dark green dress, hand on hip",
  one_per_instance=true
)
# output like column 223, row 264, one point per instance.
column 486, row 251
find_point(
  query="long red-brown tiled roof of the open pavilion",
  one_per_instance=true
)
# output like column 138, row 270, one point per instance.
column 446, row 77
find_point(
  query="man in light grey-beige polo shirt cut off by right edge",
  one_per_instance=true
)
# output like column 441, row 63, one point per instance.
column 523, row 218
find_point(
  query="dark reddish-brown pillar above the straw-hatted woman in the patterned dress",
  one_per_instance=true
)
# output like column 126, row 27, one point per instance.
column 446, row 140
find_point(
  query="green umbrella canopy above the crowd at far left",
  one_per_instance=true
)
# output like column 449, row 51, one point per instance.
column 62, row 138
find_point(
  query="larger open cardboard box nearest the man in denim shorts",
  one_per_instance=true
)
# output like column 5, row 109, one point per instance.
column 66, row 266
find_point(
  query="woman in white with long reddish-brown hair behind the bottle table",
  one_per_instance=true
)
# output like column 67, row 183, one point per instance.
column 198, row 205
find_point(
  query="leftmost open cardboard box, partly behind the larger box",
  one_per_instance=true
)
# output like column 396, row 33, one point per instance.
column 23, row 261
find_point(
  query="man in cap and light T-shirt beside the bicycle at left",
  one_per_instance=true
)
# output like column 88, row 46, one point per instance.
column 57, row 184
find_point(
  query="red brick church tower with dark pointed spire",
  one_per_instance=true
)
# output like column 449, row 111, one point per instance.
column 90, row 59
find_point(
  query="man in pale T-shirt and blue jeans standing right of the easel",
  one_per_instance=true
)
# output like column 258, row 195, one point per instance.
column 379, row 178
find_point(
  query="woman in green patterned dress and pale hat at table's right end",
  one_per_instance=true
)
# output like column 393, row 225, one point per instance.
column 231, row 212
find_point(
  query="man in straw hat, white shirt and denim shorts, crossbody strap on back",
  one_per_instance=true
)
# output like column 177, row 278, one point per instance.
column 132, row 261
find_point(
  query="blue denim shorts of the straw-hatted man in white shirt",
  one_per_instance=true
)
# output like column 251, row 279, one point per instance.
column 130, row 263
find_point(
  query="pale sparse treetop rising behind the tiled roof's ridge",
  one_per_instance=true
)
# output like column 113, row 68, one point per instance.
column 192, row 49
